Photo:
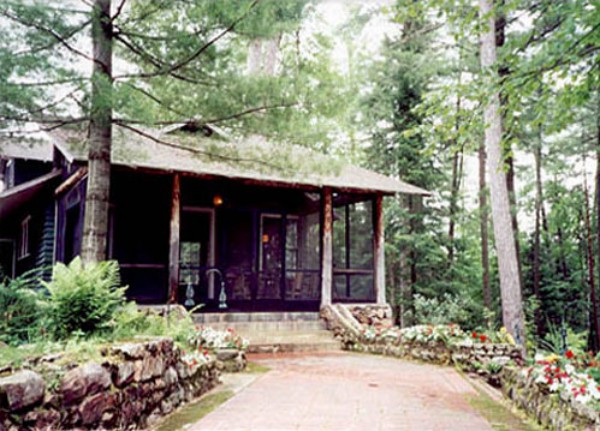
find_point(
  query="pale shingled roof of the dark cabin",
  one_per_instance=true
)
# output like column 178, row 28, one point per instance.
column 251, row 158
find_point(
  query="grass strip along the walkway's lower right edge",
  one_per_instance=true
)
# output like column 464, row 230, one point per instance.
column 499, row 416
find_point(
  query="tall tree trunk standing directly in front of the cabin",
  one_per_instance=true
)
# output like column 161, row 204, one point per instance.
column 95, row 227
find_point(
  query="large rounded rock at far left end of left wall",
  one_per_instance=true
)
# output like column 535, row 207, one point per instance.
column 22, row 389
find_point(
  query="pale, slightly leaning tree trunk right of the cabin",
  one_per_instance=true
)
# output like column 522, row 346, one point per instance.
column 510, row 287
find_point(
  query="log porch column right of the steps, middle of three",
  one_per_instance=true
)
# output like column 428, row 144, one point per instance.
column 326, row 247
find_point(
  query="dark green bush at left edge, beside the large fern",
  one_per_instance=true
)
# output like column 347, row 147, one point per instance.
column 21, row 309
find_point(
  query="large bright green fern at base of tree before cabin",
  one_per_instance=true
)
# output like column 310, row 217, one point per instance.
column 84, row 299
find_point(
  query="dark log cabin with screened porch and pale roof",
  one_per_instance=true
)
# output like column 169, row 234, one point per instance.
column 198, row 218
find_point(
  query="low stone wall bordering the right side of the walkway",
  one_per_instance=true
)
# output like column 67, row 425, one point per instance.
column 496, row 363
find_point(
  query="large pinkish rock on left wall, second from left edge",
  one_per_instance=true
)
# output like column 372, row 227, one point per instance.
column 84, row 380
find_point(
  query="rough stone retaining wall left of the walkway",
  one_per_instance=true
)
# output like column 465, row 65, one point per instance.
column 129, row 387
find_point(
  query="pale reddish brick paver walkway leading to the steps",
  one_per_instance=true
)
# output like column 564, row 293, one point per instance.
column 343, row 391
